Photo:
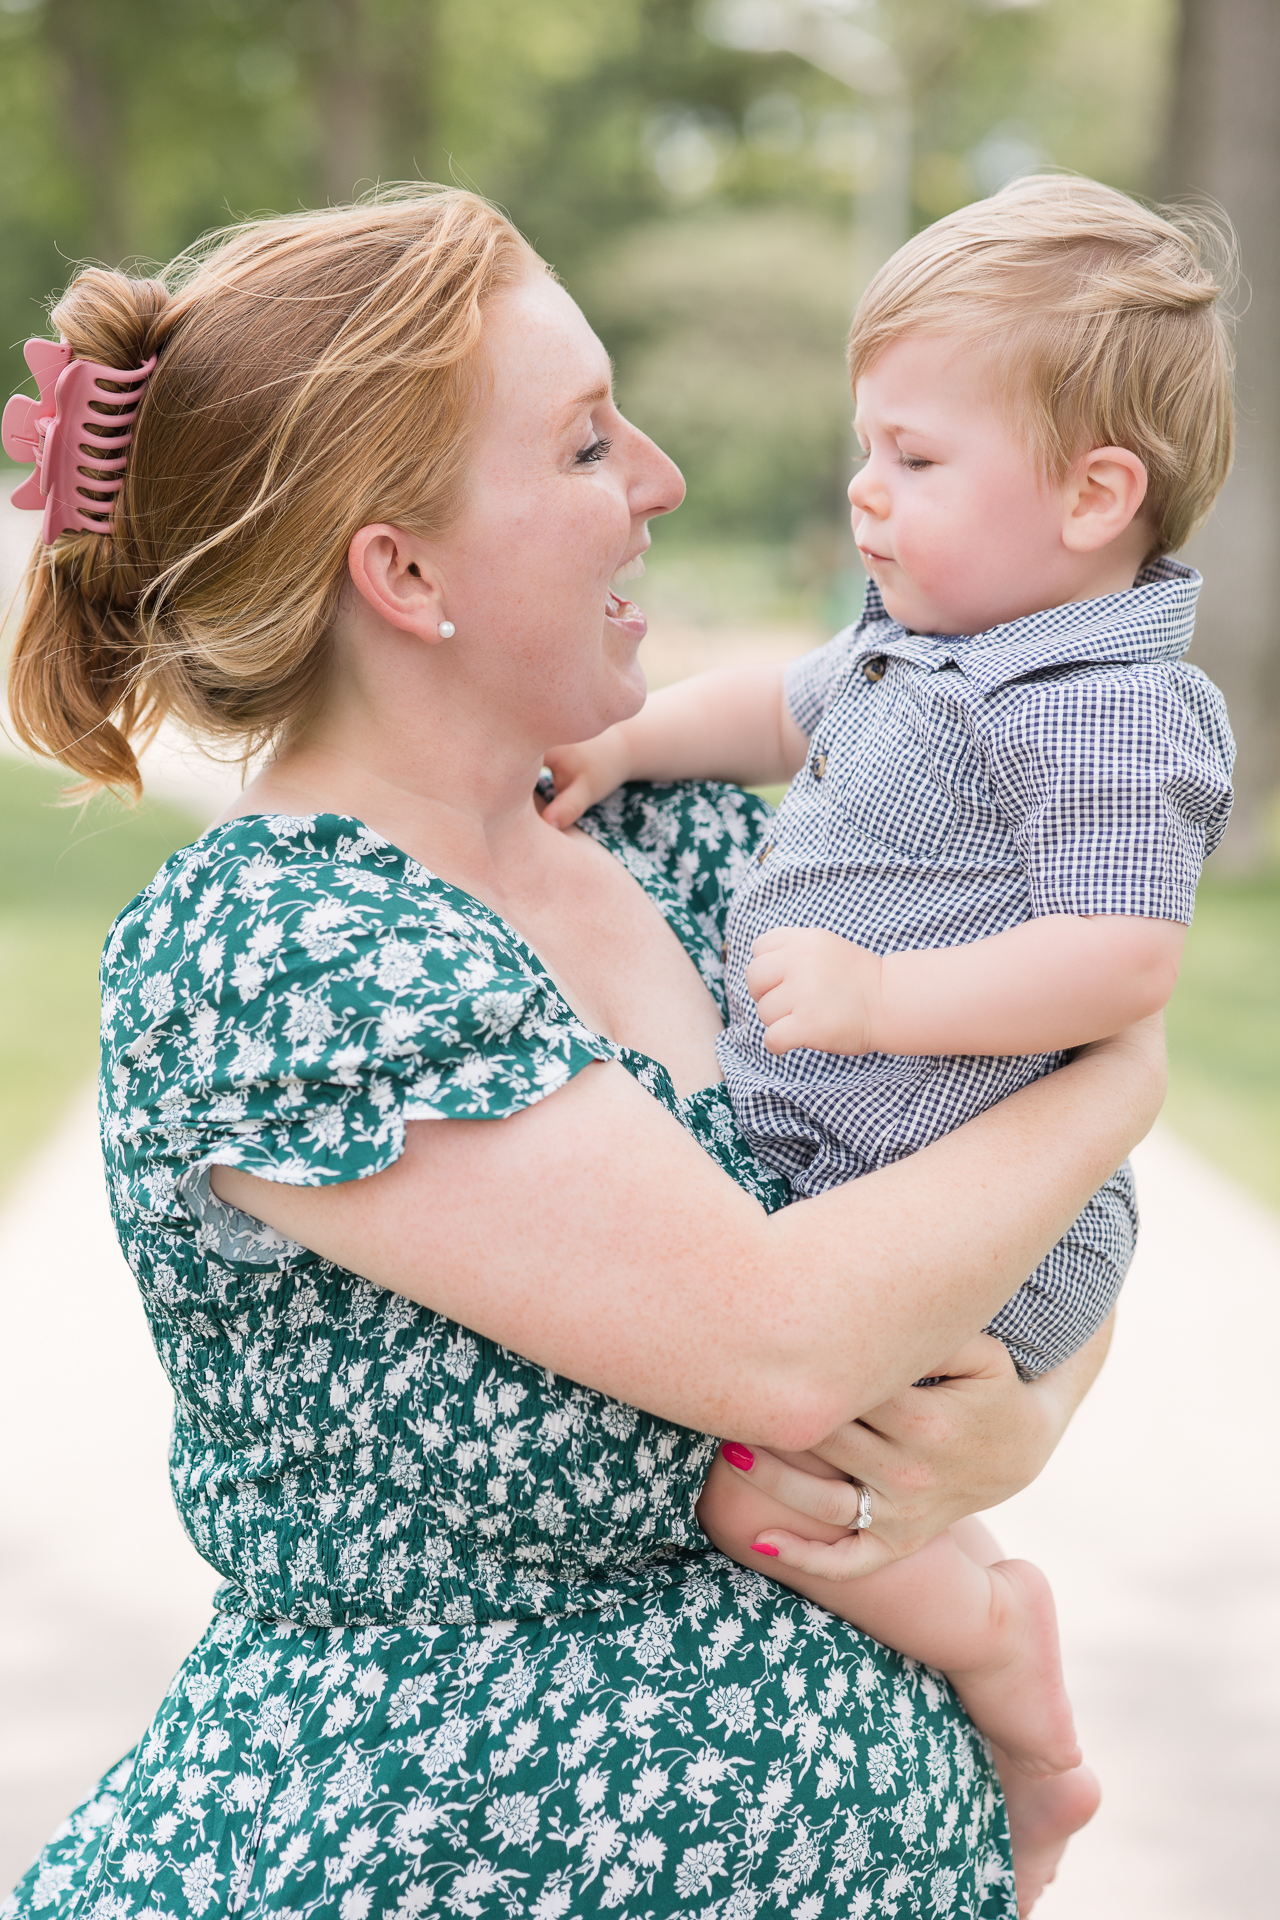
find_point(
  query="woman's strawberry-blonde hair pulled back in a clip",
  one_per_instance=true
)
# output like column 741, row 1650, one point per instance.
column 316, row 372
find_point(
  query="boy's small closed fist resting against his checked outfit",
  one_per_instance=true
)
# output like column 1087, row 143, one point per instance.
column 817, row 990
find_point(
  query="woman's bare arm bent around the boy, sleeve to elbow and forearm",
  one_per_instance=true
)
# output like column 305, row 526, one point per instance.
column 592, row 1236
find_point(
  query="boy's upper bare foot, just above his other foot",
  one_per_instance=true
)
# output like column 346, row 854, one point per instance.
column 1020, row 1700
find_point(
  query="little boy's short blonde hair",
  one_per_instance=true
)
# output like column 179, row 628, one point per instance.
column 1102, row 325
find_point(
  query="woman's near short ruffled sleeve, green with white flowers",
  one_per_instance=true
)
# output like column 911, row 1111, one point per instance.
column 287, row 1009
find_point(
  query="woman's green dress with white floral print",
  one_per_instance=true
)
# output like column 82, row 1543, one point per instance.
column 473, row 1654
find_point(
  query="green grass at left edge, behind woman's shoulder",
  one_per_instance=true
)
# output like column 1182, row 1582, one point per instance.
column 64, row 878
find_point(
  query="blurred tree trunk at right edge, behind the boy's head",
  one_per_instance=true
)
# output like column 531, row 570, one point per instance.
column 1225, row 143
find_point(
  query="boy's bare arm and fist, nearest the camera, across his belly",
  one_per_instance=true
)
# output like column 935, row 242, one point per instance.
column 1051, row 984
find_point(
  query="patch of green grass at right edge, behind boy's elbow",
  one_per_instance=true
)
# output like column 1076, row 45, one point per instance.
column 1225, row 1034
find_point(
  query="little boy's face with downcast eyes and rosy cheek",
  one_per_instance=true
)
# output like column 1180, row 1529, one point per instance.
column 953, row 517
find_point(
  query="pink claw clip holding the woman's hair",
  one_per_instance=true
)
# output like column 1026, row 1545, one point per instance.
column 74, row 437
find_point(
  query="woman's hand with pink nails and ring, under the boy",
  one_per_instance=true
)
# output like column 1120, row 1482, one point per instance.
column 928, row 1456
